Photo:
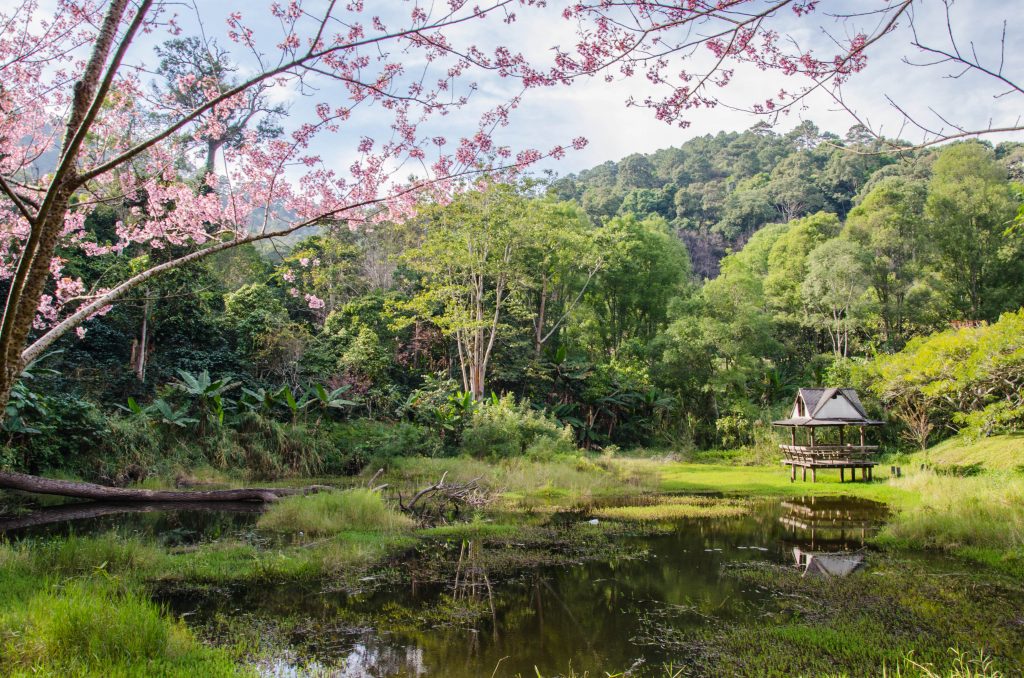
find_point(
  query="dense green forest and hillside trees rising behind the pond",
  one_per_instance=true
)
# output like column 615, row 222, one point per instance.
column 678, row 299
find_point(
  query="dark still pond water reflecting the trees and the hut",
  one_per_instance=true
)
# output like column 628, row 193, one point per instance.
column 477, row 615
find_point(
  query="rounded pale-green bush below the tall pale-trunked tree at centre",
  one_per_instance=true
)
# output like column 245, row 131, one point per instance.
column 503, row 429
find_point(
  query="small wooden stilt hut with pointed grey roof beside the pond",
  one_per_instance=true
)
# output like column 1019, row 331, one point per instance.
column 828, row 408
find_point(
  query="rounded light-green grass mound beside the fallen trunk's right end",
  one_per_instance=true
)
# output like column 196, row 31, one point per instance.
column 331, row 513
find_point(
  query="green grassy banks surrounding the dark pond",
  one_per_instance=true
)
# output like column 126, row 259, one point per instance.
column 70, row 602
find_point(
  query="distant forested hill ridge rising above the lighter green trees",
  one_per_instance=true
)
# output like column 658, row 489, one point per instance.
column 717, row 191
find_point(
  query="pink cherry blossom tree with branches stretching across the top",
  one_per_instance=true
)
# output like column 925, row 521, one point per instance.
column 74, row 83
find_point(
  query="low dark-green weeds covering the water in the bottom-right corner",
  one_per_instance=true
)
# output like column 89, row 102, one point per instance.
column 871, row 623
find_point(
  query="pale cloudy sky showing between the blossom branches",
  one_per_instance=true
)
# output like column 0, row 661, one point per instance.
column 598, row 111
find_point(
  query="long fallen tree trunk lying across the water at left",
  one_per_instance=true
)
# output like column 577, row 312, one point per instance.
column 76, row 490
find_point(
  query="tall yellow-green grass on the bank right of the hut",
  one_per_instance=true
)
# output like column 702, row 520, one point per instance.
column 953, row 513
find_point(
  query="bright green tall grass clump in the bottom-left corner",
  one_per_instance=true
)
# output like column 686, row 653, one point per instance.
column 96, row 628
